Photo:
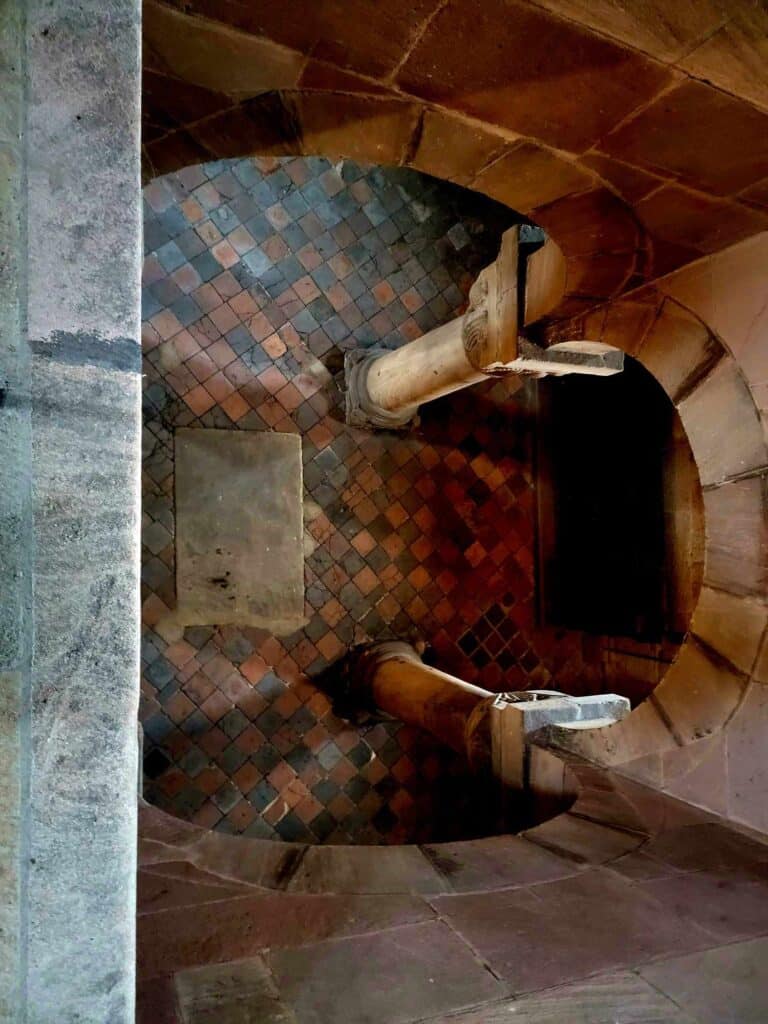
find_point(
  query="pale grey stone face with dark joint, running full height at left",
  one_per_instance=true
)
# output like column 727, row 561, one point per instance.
column 70, row 430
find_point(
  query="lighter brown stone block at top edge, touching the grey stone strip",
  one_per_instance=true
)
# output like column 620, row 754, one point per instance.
column 217, row 57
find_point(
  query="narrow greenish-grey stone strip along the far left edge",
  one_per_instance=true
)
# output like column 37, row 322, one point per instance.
column 16, row 522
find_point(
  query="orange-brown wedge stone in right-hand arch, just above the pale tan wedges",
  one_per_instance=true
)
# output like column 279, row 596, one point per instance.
column 679, row 351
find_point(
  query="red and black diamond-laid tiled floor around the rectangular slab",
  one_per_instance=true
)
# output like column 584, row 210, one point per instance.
column 260, row 275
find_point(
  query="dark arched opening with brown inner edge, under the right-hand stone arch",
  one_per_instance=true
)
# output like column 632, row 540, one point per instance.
column 621, row 522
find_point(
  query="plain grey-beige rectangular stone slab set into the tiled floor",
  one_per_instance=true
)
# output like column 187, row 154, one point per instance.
column 240, row 558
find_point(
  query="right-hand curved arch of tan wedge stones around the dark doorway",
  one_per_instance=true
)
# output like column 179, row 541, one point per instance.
column 678, row 739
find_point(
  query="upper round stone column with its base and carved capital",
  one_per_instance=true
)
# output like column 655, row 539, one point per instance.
column 386, row 389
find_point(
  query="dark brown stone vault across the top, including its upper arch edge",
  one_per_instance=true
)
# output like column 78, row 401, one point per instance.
column 635, row 132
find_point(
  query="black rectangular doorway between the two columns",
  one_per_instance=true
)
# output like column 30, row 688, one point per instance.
column 606, row 451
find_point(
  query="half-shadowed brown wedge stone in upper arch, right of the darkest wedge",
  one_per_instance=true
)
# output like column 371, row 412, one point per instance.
column 363, row 129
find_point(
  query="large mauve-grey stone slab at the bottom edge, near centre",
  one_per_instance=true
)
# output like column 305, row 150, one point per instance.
column 394, row 977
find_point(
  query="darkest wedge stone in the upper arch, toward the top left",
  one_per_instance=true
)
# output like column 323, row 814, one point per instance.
column 268, row 126
